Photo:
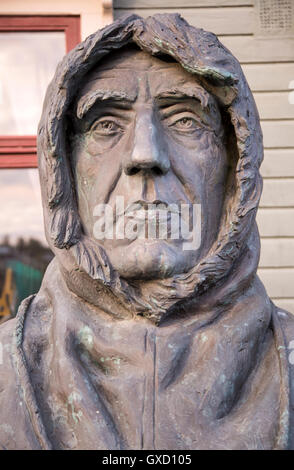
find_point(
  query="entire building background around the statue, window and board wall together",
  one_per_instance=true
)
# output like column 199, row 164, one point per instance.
column 35, row 35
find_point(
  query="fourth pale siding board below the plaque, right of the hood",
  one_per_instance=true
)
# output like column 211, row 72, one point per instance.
column 278, row 134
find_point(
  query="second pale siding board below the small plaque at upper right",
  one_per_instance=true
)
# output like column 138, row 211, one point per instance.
column 271, row 77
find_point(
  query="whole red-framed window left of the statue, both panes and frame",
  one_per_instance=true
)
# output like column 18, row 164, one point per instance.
column 30, row 48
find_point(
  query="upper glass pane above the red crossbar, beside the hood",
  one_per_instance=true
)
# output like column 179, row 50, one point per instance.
column 27, row 64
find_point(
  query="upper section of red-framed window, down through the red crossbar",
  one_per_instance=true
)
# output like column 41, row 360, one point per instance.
column 30, row 48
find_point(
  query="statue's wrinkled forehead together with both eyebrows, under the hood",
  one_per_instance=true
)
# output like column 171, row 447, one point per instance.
column 106, row 88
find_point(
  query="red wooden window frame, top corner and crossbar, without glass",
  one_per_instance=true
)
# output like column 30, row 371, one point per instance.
column 20, row 151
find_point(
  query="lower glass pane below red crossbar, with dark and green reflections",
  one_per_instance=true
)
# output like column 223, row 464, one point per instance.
column 24, row 254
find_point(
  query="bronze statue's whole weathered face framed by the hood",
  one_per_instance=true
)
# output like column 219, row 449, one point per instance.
column 147, row 135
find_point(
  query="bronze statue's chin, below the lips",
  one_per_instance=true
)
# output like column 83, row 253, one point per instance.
column 151, row 259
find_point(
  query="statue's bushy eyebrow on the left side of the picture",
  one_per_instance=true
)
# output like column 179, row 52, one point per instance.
column 86, row 102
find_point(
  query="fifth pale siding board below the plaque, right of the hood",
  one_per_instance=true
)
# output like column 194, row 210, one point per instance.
column 278, row 162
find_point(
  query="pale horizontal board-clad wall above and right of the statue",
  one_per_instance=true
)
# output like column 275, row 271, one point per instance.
column 267, row 58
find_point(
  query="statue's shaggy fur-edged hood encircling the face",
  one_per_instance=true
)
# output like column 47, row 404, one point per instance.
column 84, row 263
